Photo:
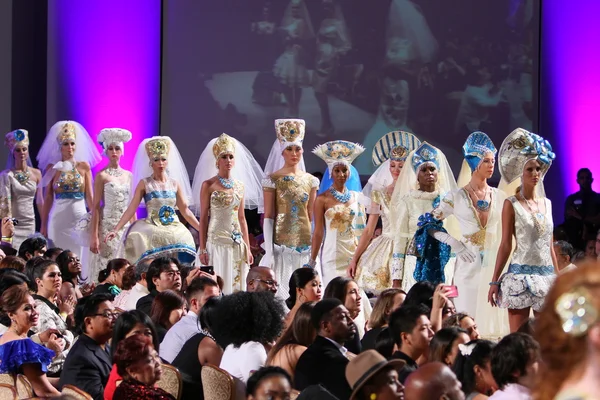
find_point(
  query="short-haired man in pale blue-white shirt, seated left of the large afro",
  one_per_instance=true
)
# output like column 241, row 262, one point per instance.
column 197, row 293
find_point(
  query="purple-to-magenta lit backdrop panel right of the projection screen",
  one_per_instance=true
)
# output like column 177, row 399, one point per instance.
column 571, row 81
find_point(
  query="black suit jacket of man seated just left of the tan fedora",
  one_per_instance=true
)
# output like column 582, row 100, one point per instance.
column 323, row 363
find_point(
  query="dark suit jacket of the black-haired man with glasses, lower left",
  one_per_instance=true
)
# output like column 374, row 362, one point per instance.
column 87, row 367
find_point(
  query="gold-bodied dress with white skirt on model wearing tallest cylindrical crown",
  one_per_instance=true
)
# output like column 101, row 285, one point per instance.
column 292, row 237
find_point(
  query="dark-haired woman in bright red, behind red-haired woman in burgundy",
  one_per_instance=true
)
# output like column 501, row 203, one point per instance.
column 129, row 323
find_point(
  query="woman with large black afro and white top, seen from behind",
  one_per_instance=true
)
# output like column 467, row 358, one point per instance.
column 249, row 323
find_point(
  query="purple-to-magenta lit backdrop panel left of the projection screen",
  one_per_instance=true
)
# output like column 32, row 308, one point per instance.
column 108, row 60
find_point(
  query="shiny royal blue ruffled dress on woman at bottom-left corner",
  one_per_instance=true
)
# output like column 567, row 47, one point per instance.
column 18, row 352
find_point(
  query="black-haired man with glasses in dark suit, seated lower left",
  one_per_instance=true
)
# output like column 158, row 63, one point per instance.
column 88, row 363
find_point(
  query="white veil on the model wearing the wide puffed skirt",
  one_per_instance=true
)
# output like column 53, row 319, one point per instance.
column 175, row 167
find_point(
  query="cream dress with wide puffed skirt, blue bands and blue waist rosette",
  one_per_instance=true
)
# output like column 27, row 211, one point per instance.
column 161, row 232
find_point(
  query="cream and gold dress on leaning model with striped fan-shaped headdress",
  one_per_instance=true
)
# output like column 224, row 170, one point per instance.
column 374, row 268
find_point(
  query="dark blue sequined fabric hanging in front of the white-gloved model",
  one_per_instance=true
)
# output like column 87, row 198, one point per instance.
column 432, row 255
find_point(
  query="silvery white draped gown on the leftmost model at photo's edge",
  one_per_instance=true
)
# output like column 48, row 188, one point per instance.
column 17, row 195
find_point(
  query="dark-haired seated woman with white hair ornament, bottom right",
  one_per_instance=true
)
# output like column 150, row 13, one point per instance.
column 473, row 369
